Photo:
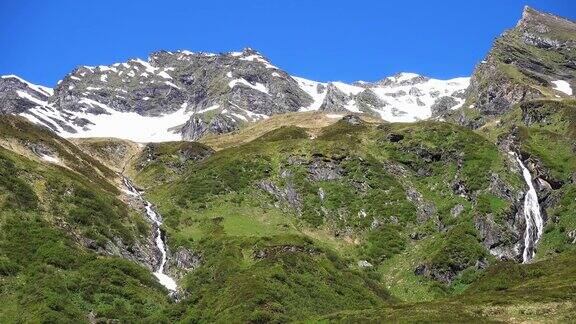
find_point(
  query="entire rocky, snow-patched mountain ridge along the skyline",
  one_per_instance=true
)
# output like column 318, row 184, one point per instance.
column 185, row 95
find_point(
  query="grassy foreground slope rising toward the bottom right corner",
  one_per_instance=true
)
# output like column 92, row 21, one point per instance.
column 505, row 292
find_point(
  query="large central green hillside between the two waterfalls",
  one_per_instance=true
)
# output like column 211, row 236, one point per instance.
column 217, row 202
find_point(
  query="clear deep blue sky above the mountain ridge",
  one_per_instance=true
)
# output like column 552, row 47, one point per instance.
column 322, row 40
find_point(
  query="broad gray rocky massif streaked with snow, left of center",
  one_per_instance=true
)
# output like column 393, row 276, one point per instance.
column 217, row 91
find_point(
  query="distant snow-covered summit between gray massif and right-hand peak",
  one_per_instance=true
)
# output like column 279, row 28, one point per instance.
column 403, row 97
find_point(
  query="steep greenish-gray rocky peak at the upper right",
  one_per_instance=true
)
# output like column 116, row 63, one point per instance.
column 535, row 59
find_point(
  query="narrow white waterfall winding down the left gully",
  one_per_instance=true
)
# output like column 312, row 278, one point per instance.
column 164, row 279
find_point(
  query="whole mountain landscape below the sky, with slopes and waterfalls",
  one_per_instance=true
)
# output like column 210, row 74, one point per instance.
column 297, row 200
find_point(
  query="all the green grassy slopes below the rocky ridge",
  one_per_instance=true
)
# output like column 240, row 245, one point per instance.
column 265, row 259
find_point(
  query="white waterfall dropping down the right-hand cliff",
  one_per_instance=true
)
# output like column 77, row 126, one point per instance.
column 532, row 216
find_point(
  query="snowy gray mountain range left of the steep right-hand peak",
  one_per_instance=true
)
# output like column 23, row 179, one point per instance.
column 184, row 95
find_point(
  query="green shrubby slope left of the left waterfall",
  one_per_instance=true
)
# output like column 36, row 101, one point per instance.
column 45, row 275
